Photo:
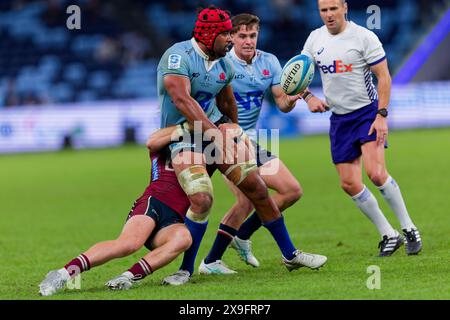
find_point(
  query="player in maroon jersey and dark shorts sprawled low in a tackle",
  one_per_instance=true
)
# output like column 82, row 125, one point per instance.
column 156, row 220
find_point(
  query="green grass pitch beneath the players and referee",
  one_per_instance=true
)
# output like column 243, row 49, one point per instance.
column 56, row 205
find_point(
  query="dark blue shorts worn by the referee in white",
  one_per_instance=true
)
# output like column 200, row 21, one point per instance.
column 348, row 132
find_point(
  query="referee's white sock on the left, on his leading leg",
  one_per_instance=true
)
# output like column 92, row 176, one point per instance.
column 368, row 204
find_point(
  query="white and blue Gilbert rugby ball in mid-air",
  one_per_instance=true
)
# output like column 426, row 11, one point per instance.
column 297, row 74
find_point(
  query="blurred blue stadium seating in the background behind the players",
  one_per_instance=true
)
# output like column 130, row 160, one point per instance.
column 42, row 61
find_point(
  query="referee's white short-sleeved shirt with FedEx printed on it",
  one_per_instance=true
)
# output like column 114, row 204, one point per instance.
column 344, row 62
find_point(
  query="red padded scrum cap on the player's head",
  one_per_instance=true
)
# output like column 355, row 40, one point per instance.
column 210, row 22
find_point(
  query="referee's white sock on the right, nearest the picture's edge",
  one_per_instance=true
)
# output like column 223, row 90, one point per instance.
column 391, row 193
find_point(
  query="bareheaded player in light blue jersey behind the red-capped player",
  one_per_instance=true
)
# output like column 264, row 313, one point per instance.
column 256, row 72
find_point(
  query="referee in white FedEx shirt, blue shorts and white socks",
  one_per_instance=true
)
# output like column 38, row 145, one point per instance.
column 346, row 55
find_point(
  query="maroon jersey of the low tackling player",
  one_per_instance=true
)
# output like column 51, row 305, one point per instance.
column 164, row 184
